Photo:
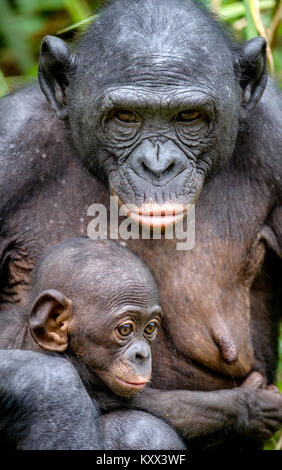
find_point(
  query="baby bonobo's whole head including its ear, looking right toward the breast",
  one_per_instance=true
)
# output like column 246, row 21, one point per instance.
column 98, row 301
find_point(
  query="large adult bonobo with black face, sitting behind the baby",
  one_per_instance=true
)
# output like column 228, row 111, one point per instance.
column 154, row 115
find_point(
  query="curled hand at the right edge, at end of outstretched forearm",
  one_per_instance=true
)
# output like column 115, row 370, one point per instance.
column 263, row 408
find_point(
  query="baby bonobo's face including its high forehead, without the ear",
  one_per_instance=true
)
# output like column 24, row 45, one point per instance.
column 113, row 328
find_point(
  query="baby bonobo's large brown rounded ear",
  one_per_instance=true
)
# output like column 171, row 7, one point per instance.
column 49, row 320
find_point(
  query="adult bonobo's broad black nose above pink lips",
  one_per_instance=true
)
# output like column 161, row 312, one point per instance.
column 158, row 160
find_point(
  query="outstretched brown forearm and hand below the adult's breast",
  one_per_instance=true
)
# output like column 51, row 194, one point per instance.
column 246, row 410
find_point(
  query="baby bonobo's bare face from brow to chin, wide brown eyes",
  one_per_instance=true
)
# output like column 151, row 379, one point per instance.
column 117, row 346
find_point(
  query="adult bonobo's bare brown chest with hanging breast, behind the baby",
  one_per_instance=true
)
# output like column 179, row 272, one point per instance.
column 200, row 345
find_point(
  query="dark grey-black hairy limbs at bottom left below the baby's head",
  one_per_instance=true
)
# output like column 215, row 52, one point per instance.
column 44, row 406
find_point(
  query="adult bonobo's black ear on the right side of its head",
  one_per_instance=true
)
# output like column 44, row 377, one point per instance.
column 253, row 71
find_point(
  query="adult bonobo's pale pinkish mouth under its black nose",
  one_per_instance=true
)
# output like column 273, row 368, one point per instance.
column 153, row 215
